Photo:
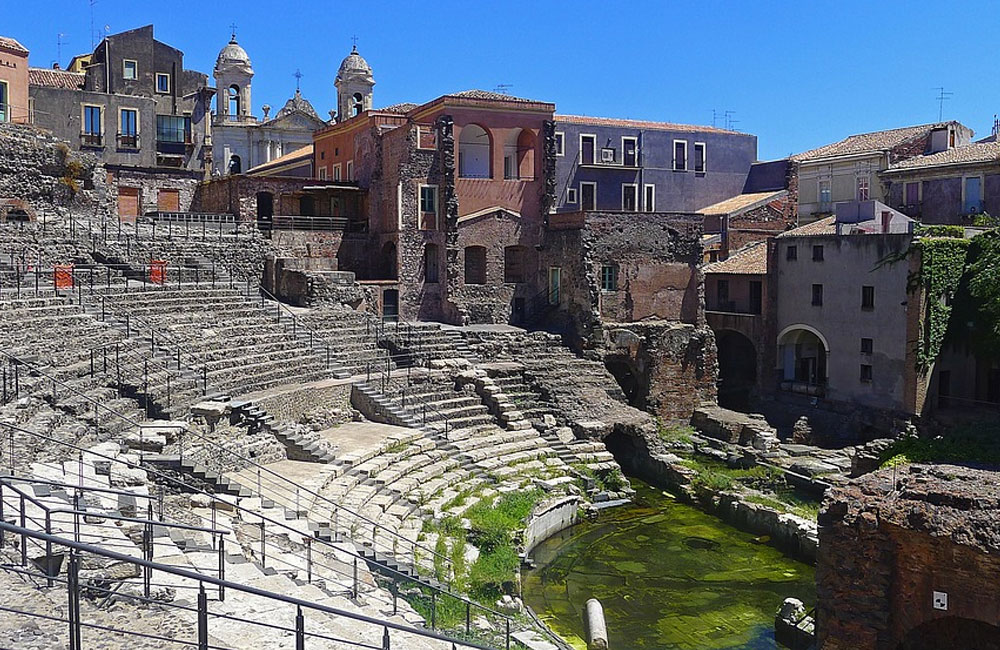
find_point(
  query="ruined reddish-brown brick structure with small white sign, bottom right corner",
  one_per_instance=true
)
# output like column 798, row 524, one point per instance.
column 908, row 559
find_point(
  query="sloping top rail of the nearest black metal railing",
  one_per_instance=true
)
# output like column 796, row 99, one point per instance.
column 203, row 579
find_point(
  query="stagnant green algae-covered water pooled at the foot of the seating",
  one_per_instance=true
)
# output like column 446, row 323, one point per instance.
column 669, row 576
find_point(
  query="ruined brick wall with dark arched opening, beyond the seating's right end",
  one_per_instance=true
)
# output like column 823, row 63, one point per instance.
column 672, row 366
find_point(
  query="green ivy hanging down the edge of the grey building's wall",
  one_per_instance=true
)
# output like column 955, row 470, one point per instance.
column 941, row 270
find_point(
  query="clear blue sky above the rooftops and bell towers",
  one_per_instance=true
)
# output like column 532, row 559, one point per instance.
column 797, row 74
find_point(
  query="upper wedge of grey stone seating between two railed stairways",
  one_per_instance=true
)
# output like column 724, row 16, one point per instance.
column 241, row 347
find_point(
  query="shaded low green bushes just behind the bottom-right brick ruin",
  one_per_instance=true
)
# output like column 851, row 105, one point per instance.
column 978, row 444
